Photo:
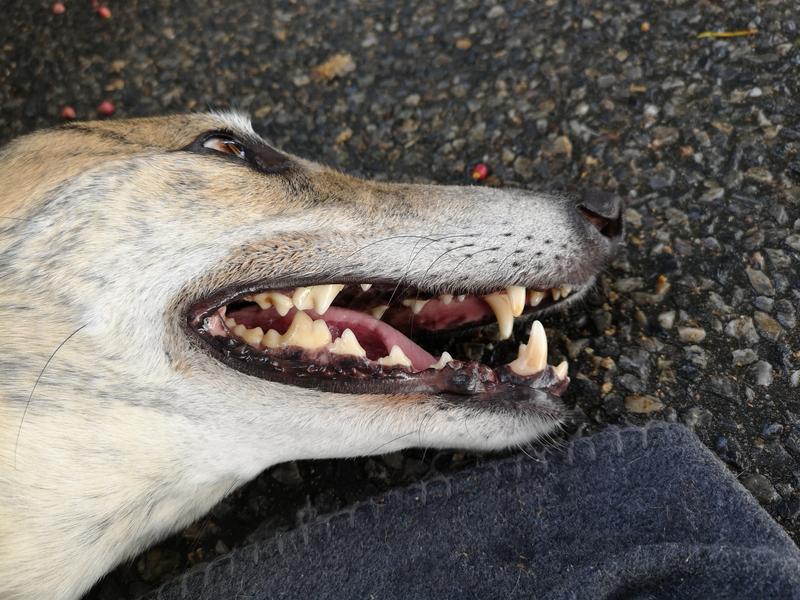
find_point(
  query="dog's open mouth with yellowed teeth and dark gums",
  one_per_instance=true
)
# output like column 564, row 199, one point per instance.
column 370, row 338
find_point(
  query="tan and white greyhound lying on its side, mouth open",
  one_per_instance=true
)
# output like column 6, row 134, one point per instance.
column 187, row 305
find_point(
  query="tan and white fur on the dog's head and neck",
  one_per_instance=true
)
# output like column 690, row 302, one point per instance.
column 116, row 427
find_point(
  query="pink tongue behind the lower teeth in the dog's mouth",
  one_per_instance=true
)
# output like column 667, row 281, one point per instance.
column 367, row 327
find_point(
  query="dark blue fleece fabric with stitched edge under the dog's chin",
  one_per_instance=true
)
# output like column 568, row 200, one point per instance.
column 627, row 513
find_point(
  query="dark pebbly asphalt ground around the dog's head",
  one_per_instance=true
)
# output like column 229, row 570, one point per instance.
column 695, row 320
